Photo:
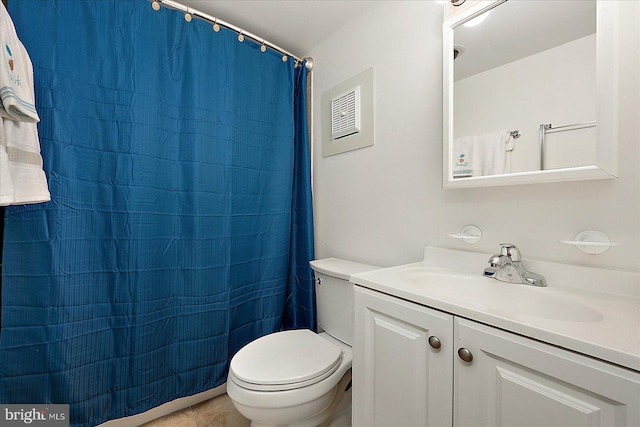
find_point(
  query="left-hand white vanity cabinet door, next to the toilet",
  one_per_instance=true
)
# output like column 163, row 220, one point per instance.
column 400, row 378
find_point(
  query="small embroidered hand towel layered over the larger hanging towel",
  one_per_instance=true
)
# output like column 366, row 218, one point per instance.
column 16, row 78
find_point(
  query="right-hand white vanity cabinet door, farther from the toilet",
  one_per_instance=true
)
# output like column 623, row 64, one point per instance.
column 515, row 381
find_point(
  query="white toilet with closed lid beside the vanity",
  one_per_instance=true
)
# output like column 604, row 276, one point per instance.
column 298, row 377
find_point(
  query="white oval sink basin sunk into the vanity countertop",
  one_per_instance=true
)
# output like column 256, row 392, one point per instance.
column 520, row 302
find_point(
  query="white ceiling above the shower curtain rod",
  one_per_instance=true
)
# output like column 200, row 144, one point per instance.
column 295, row 25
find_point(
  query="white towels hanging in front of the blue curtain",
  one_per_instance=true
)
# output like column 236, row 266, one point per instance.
column 22, row 179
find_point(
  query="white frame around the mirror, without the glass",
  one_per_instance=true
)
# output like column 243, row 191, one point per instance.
column 607, row 46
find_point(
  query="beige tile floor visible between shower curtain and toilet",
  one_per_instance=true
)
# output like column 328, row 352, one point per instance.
column 216, row 412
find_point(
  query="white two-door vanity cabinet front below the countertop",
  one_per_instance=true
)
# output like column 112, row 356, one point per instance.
column 401, row 380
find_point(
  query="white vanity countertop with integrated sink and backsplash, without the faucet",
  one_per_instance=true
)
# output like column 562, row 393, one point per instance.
column 591, row 311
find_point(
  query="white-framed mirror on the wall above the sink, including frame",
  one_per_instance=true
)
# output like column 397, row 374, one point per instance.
column 531, row 94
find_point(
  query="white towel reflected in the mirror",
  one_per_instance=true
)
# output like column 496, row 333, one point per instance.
column 479, row 155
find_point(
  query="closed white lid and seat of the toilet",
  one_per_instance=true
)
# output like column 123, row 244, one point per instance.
column 285, row 360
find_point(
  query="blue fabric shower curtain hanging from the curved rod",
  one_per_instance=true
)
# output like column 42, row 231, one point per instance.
column 180, row 225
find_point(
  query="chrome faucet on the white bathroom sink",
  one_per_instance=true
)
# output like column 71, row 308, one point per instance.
column 507, row 267
